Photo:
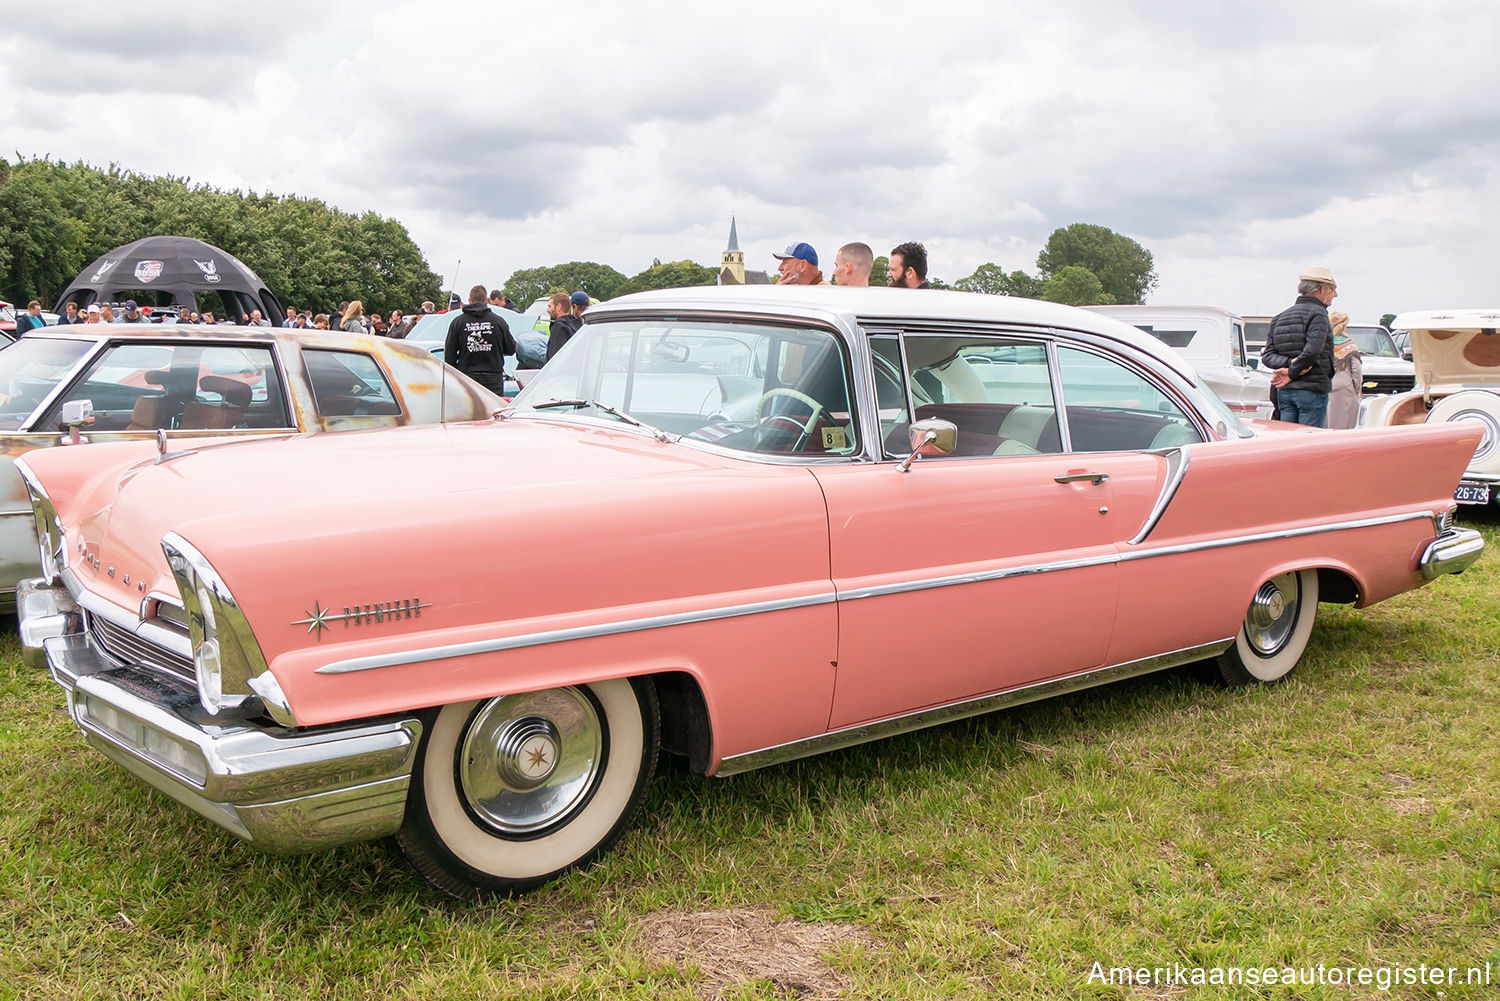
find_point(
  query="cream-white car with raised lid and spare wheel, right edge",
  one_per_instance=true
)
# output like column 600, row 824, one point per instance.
column 1457, row 355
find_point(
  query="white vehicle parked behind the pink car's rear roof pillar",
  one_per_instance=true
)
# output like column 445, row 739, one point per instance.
column 1214, row 343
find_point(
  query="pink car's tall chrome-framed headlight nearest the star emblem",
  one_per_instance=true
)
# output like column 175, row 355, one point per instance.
column 224, row 652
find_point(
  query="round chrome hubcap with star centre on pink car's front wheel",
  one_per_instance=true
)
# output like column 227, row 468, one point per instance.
column 532, row 760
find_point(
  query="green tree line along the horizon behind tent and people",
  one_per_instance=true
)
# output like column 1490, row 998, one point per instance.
column 58, row 218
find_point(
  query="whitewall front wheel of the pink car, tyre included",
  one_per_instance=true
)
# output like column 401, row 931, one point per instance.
column 512, row 792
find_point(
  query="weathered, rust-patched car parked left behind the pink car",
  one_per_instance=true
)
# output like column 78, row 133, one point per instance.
column 194, row 382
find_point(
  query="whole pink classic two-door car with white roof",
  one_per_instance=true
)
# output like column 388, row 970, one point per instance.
column 757, row 525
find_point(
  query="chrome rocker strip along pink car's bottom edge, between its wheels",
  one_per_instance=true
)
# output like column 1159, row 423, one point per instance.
column 865, row 733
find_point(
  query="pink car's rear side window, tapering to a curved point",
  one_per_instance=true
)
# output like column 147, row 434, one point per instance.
column 1112, row 407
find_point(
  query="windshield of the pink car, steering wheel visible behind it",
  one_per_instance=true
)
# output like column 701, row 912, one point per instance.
column 754, row 388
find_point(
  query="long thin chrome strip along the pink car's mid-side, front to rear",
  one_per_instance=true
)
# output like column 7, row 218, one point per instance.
column 853, row 595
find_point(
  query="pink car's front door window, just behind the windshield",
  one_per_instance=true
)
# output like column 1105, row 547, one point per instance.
column 997, row 391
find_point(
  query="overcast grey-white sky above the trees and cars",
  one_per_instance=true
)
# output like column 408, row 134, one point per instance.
column 1237, row 142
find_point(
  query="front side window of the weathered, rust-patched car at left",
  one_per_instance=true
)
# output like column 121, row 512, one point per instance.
column 182, row 386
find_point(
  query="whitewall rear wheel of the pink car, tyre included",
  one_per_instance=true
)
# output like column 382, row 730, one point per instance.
column 1276, row 631
